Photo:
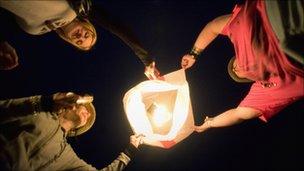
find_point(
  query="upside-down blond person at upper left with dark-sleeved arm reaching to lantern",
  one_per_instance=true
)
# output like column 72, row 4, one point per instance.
column 70, row 19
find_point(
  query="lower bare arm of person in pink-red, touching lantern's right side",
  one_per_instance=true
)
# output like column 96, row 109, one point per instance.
column 228, row 118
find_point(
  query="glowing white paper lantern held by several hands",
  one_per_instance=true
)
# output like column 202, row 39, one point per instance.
column 161, row 110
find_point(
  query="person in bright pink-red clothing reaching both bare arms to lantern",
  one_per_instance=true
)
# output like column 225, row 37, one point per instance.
column 268, row 42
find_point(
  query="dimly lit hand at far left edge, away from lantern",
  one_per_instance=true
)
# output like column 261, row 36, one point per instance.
column 8, row 56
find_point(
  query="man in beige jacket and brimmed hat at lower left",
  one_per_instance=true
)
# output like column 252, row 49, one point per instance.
column 34, row 131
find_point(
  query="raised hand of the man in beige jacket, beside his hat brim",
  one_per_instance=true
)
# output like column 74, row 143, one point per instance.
column 69, row 100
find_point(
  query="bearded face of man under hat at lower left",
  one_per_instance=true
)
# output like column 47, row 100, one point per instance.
column 78, row 116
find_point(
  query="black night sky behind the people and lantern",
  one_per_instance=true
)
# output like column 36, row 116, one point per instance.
column 168, row 30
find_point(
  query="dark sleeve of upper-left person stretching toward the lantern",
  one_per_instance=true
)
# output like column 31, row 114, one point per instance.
column 101, row 18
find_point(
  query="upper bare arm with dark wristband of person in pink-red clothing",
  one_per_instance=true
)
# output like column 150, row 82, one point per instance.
column 206, row 36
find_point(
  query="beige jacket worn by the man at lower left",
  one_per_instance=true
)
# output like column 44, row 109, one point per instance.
column 32, row 139
